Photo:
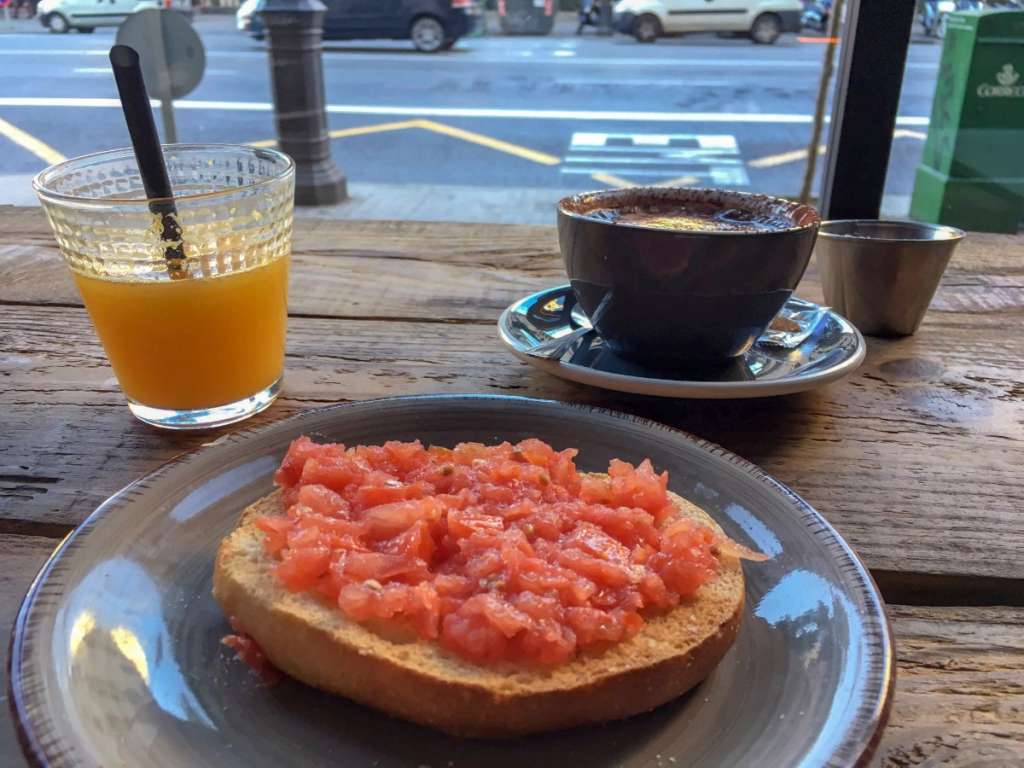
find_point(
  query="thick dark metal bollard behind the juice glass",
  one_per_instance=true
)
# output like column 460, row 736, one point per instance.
column 296, row 31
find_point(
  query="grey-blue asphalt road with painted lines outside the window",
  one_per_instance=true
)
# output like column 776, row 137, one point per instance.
column 554, row 113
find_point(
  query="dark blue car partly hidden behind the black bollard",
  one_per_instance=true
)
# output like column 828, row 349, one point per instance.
column 432, row 25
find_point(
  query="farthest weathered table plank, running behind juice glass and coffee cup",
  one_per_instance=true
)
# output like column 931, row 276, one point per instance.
column 420, row 271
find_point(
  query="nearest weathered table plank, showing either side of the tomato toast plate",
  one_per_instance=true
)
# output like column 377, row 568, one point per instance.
column 960, row 698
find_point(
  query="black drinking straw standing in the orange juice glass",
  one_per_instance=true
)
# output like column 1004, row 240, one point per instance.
column 146, row 143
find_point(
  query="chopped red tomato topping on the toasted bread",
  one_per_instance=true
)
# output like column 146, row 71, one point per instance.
column 497, row 552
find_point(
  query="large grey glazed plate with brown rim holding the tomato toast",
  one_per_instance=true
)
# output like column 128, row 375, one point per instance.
column 116, row 658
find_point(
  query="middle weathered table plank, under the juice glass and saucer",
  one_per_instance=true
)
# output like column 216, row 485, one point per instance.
column 917, row 458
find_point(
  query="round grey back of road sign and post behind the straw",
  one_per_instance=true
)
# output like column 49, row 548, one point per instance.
column 172, row 55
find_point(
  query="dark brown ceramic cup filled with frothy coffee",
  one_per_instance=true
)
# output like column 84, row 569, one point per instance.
column 666, row 297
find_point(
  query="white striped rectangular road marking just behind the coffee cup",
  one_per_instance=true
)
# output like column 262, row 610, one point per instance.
column 712, row 159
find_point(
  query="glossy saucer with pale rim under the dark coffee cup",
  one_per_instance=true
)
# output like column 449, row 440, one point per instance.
column 833, row 351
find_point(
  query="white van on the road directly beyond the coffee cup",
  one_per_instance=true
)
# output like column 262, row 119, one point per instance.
column 764, row 21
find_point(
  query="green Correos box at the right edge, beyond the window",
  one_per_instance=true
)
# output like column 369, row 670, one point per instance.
column 972, row 172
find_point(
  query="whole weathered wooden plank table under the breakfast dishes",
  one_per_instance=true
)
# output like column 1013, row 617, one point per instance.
column 918, row 458
